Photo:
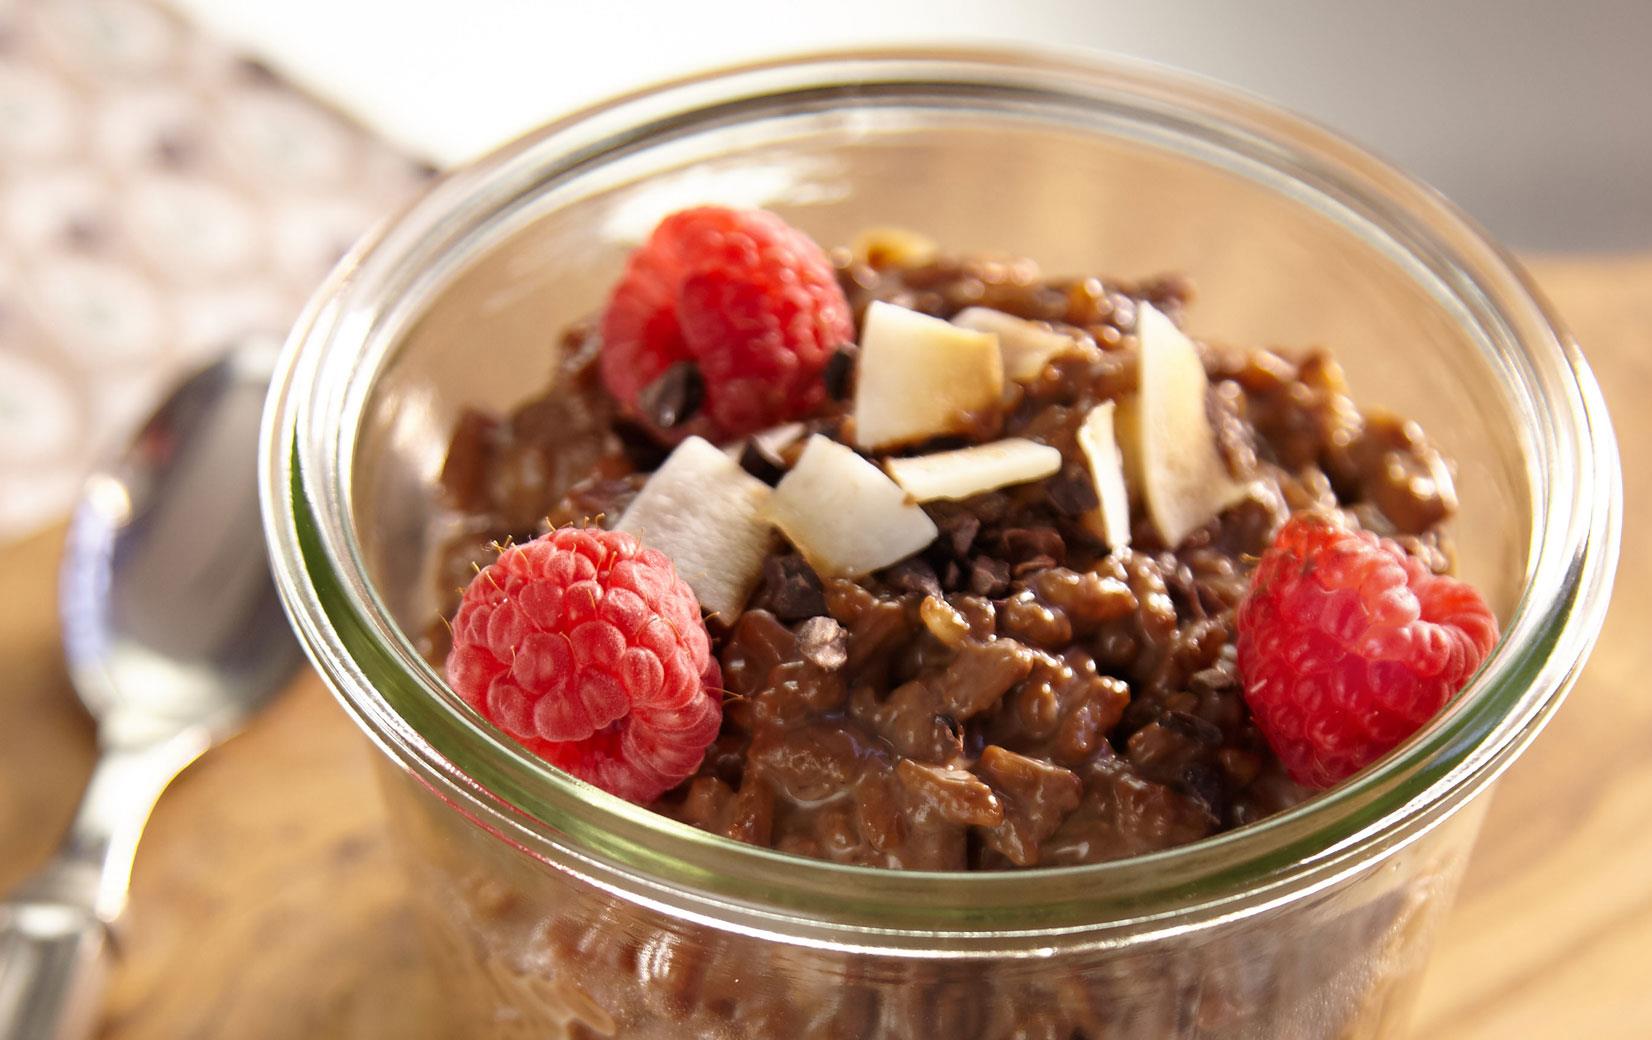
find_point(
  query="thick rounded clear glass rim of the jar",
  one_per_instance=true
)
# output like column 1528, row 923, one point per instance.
column 339, row 346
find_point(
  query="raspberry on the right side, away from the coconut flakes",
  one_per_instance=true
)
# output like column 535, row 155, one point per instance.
column 1349, row 645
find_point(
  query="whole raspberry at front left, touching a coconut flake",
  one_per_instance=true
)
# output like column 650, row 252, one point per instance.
column 591, row 651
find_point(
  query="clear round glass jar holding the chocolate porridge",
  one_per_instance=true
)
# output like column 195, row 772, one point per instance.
column 564, row 912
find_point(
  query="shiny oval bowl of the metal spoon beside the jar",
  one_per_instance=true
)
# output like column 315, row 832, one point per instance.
column 169, row 615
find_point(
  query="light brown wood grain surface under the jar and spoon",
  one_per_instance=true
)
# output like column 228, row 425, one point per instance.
column 267, row 904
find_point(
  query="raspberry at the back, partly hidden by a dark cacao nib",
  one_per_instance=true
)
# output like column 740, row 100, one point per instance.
column 744, row 296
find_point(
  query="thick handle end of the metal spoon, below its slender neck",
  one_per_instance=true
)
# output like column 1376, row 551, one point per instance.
column 52, row 965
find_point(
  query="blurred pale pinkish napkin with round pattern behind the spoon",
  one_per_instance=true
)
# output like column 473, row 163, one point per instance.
column 159, row 199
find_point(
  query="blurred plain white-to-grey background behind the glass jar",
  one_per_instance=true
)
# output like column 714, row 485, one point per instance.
column 1532, row 115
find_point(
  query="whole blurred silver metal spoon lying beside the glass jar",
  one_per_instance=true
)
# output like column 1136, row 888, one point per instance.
column 174, row 636
